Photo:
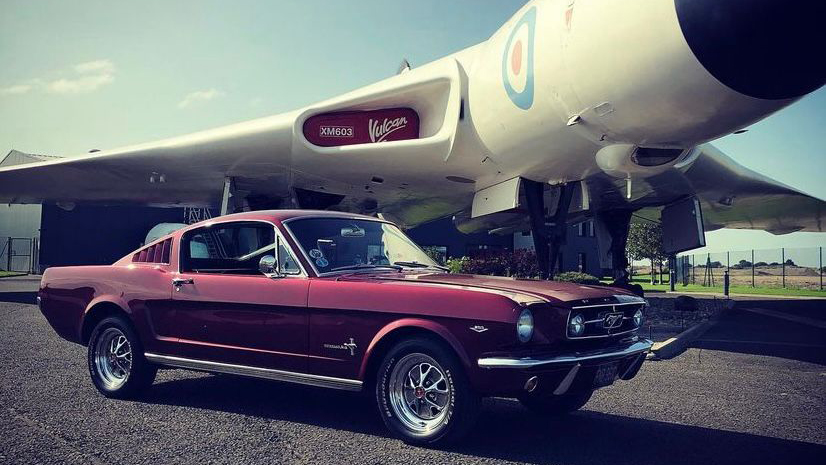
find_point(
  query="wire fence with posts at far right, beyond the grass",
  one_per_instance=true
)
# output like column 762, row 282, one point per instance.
column 793, row 268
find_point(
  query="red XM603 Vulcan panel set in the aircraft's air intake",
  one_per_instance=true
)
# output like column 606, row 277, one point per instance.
column 362, row 127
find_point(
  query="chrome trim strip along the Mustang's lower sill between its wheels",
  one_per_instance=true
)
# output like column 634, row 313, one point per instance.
column 256, row 372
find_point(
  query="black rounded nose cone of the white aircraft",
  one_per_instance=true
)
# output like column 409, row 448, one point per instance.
column 767, row 49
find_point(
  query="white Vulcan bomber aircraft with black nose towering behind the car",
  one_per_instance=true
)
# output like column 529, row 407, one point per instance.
column 573, row 109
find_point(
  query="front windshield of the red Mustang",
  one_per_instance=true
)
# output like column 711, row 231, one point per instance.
column 335, row 244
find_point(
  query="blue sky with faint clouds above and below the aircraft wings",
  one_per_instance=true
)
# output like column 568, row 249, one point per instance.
column 101, row 74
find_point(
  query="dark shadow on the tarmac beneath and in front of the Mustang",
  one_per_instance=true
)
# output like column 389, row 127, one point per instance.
column 504, row 430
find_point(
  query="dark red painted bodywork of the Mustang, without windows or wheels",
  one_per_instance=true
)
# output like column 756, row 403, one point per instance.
column 284, row 323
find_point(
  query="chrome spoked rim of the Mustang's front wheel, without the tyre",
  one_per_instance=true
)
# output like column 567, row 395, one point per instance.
column 419, row 392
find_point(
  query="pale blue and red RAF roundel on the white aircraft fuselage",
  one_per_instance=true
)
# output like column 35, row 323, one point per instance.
column 518, row 61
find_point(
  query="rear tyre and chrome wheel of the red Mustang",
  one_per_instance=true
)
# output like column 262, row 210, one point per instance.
column 115, row 360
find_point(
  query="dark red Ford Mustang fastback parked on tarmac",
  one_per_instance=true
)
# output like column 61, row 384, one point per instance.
column 345, row 302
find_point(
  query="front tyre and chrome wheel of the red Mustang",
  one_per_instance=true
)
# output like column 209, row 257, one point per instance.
column 423, row 394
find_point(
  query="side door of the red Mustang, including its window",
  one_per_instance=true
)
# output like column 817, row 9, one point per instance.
column 227, row 311
